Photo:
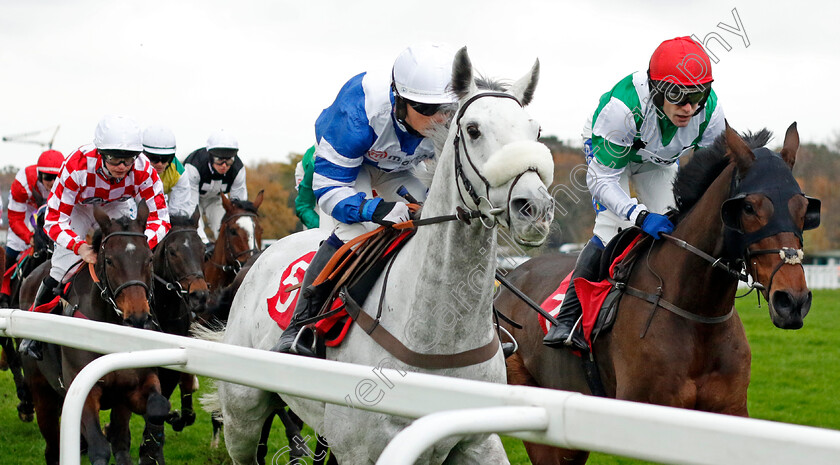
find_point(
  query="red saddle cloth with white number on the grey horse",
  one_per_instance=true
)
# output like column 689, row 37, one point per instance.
column 281, row 306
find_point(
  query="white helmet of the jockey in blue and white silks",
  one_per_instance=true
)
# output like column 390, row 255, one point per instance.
column 422, row 73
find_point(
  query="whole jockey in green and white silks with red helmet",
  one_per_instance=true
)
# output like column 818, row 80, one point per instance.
column 638, row 132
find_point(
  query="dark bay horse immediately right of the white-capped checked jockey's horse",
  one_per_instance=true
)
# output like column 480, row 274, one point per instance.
column 180, row 292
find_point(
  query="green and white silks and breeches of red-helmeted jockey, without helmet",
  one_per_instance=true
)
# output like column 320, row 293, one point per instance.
column 627, row 115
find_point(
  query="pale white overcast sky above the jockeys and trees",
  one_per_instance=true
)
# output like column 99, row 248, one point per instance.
column 265, row 69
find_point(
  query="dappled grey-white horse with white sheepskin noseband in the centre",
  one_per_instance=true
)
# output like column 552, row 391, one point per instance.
column 489, row 162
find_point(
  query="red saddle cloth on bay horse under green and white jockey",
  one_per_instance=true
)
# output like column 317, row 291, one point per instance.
column 591, row 296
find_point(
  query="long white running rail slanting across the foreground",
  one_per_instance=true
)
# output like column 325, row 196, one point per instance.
column 573, row 420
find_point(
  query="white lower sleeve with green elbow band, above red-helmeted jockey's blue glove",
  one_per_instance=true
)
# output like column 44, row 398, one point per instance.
column 603, row 181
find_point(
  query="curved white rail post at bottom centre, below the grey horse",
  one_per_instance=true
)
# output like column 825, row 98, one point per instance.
column 407, row 446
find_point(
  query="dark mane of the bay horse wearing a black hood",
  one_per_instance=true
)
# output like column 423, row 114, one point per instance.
column 705, row 166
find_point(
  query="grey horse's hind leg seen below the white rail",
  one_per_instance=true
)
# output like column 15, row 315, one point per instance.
column 244, row 410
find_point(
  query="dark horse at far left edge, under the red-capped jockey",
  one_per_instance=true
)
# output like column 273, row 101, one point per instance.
column 29, row 260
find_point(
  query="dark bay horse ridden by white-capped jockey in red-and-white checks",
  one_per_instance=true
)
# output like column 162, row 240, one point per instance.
column 116, row 290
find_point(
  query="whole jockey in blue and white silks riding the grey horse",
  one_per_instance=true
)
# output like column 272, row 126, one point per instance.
column 368, row 142
